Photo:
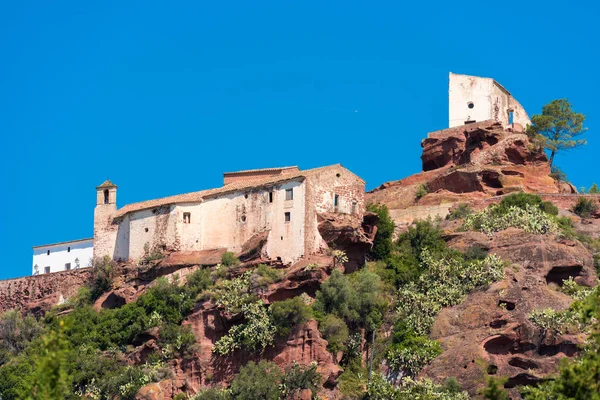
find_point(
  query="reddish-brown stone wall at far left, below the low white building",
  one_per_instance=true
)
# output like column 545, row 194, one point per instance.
column 24, row 293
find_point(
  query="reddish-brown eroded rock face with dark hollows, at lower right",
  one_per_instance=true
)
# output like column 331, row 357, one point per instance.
column 490, row 332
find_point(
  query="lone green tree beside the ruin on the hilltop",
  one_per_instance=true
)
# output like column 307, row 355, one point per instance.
column 559, row 124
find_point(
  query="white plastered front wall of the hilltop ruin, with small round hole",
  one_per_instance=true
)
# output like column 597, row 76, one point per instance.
column 464, row 89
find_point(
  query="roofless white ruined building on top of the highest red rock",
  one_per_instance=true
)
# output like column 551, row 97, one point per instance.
column 474, row 99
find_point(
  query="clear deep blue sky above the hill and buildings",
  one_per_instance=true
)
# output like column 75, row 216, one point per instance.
column 162, row 97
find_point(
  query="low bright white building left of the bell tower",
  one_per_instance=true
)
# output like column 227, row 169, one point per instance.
column 59, row 256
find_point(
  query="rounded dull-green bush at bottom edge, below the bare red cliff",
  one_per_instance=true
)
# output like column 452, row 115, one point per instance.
column 257, row 381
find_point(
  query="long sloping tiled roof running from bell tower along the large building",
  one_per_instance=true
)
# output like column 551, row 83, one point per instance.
column 194, row 197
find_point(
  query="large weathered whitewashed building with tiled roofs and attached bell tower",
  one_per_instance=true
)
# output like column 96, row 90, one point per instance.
column 277, row 207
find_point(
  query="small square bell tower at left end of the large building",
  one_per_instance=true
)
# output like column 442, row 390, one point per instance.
column 106, row 207
